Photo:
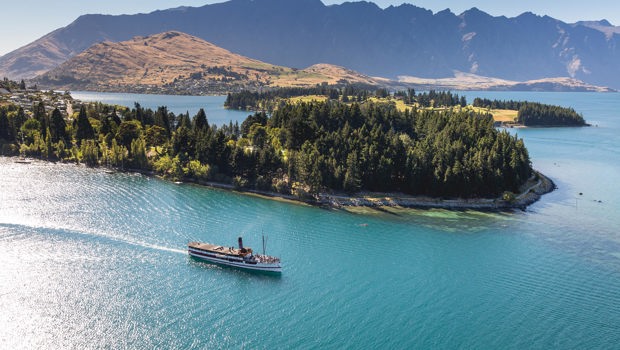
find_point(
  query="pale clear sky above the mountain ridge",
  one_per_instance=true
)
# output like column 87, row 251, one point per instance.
column 24, row 21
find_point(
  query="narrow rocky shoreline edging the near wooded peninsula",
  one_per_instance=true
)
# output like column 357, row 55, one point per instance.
column 531, row 193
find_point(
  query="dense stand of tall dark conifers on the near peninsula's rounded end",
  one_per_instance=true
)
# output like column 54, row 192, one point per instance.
column 375, row 147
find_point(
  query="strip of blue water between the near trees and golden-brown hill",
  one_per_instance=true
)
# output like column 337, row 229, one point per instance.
column 213, row 105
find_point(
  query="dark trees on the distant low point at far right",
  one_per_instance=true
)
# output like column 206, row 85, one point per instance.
column 536, row 114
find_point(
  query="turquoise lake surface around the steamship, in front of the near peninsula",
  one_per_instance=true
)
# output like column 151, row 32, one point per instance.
column 96, row 260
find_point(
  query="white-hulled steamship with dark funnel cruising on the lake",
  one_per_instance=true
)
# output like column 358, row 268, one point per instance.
column 242, row 257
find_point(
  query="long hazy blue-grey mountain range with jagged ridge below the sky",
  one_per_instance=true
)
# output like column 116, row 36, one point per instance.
column 402, row 40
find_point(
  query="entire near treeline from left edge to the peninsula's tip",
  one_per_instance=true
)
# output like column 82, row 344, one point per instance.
column 302, row 148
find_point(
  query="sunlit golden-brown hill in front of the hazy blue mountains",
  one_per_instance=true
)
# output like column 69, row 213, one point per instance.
column 176, row 62
